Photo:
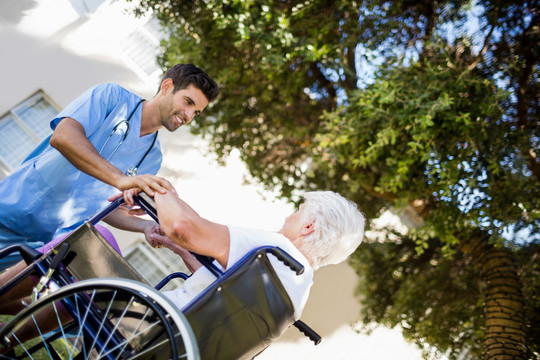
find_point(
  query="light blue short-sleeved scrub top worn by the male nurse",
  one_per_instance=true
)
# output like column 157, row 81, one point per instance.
column 47, row 196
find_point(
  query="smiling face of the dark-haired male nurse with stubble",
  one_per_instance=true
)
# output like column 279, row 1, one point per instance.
column 179, row 108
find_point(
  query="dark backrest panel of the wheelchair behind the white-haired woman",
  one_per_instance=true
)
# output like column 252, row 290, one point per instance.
column 242, row 312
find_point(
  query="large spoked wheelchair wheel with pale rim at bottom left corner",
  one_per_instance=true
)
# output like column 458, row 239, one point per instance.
column 99, row 319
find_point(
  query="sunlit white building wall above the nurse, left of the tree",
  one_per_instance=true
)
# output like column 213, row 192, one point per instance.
column 63, row 54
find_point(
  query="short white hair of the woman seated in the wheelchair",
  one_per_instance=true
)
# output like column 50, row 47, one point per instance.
column 338, row 227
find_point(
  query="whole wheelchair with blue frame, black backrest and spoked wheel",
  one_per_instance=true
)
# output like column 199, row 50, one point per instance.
column 89, row 303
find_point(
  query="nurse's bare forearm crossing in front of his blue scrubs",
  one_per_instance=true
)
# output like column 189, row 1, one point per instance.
column 69, row 138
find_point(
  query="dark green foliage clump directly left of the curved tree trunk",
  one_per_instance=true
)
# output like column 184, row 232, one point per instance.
column 432, row 297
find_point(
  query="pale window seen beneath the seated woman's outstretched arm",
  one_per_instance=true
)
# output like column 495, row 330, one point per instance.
column 155, row 264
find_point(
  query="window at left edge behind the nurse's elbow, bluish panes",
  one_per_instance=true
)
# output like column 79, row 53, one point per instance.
column 23, row 127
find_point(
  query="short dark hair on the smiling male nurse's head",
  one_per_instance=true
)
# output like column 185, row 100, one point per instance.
column 184, row 75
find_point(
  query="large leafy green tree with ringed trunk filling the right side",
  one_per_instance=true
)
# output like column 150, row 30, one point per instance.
column 445, row 125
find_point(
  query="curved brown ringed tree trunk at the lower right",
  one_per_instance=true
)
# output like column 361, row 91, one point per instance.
column 505, row 337
